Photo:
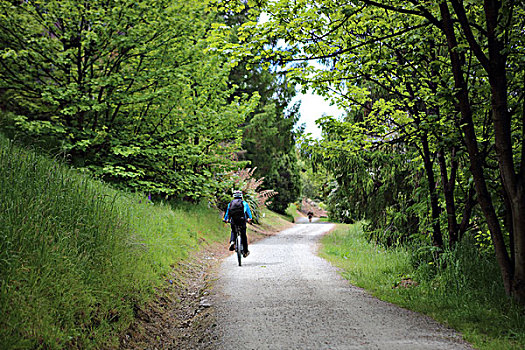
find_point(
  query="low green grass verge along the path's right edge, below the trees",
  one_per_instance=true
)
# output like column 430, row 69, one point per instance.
column 466, row 296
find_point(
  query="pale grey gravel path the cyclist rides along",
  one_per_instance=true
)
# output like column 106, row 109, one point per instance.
column 285, row 297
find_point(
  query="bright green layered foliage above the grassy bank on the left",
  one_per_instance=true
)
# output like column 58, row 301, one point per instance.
column 128, row 89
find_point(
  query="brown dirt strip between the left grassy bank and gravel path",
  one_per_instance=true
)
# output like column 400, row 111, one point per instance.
column 182, row 316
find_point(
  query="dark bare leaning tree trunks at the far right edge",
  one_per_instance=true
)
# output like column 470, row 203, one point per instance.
column 499, row 37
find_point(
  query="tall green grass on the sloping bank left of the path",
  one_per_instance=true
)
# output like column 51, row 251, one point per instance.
column 76, row 256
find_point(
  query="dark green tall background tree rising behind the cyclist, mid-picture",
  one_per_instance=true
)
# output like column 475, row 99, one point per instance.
column 268, row 132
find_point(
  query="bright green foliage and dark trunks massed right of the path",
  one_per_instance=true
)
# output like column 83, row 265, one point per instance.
column 427, row 81
